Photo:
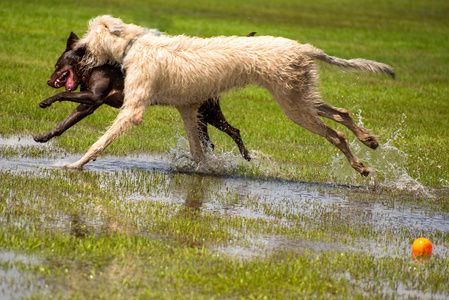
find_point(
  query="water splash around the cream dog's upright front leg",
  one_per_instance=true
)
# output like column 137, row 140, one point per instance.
column 221, row 163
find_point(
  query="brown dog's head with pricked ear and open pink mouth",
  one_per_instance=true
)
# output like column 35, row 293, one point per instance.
column 65, row 73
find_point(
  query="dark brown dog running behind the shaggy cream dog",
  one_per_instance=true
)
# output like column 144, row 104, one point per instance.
column 104, row 85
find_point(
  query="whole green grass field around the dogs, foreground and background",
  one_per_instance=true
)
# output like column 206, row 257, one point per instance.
column 153, row 249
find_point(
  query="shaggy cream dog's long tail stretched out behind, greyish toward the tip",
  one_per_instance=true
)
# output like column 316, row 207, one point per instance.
column 357, row 63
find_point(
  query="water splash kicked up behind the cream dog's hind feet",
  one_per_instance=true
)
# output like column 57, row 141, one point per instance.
column 388, row 162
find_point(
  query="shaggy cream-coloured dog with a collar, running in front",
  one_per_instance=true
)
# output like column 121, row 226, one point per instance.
column 183, row 71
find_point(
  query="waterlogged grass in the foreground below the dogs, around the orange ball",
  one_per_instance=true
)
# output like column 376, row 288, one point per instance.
column 141, row 233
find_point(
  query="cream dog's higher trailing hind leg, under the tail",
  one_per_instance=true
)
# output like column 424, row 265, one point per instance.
column 342, row 116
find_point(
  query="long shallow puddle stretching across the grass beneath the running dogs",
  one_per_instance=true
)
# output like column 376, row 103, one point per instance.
column 286, row 203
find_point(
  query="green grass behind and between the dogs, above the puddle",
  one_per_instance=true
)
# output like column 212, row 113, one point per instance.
column 34, row 36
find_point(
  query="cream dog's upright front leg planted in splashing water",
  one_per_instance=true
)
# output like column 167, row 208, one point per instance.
column 189, row 117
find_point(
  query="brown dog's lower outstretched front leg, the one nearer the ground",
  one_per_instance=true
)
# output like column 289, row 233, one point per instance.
column 82, row 111
